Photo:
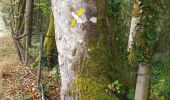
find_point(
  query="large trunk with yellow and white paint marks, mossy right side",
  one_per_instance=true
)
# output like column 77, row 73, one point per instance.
column 87, row 52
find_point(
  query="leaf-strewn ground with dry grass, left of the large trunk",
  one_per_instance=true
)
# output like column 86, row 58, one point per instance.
column 18, row 82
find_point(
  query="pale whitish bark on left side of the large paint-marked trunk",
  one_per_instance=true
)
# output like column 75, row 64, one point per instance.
column 69, row 39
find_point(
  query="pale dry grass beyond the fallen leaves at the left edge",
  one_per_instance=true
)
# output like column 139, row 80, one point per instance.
column 7, row 58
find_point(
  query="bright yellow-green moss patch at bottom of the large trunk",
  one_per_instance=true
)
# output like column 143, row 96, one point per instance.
column 89, row 89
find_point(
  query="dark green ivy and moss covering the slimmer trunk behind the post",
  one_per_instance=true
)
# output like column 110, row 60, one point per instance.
column 144, row 42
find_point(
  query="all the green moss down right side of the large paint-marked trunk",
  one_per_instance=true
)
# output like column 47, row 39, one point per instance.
column 102, row 66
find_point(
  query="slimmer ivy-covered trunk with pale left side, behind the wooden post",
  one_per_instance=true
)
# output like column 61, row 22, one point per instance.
column 143, row 35
